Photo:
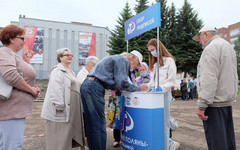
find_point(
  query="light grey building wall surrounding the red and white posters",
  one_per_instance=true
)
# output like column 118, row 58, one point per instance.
column 60, row 34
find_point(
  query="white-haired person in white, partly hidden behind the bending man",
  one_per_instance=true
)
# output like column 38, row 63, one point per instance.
column 90, row 63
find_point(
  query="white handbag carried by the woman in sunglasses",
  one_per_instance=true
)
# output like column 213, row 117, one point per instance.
column 5, row 89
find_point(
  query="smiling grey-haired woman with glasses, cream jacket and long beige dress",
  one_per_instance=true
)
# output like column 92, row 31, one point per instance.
column 62, row 107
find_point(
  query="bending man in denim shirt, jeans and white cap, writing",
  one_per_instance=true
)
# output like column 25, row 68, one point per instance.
column 109, row 73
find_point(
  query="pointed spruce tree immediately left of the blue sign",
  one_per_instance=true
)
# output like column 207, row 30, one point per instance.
column 117, row 43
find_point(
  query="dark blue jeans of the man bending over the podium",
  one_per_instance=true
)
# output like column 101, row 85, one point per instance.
column 92, row 94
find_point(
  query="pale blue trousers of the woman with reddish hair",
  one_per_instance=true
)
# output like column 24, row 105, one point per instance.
column 12, row 134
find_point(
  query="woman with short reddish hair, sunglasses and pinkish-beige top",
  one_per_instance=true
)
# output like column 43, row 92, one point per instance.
column 21, row 76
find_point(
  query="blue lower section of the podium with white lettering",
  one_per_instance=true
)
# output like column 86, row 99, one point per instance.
column 144, row 129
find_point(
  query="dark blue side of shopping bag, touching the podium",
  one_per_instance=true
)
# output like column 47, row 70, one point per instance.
column 120, row 111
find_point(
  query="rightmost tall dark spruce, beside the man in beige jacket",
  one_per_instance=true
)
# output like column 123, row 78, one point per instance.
column 187, row 51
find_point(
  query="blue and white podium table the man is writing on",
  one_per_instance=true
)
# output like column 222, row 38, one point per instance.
column 144, row 121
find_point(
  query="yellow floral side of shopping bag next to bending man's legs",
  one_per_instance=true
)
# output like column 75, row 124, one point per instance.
column 111, row 112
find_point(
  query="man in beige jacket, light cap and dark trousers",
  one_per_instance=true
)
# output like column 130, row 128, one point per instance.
column 217, row 88
